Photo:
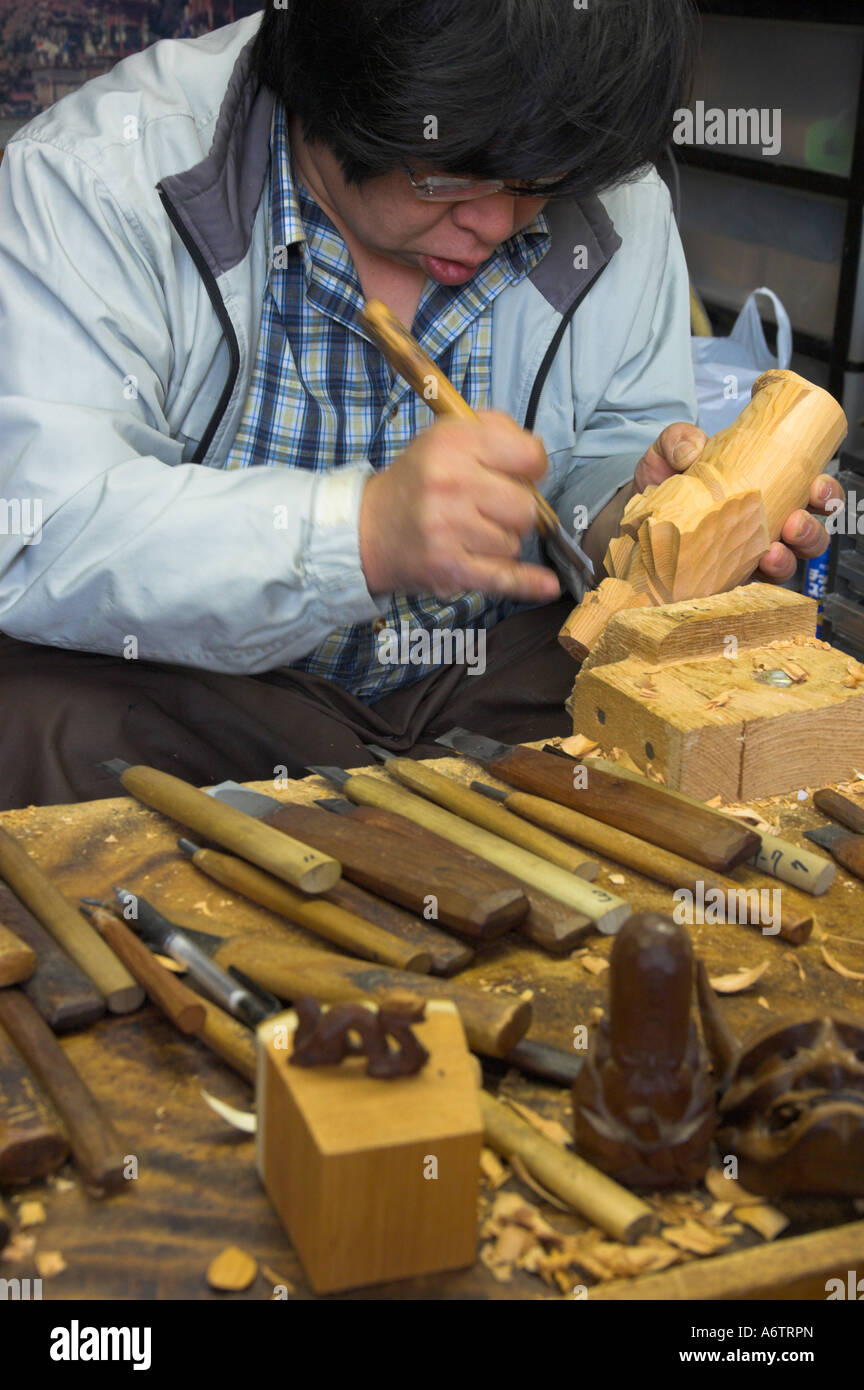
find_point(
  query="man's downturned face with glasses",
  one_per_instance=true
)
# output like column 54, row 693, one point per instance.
column 448, row 241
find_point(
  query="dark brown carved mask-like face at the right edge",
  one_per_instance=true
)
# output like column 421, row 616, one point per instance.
column 792, row 1102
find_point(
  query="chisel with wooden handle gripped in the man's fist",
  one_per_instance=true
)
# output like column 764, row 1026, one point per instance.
column 408, row 358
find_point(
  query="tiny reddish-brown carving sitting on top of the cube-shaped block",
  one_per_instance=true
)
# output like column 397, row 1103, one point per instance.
column 324, row 1039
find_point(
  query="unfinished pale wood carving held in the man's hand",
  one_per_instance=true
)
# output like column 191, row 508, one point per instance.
column 706, row 530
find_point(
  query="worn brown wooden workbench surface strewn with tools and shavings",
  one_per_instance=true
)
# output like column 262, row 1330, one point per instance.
column 198, row 1189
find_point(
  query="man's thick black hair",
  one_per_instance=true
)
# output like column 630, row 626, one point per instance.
column 517, row 90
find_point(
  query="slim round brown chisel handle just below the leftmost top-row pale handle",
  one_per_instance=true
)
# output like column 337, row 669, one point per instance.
column 326, row 919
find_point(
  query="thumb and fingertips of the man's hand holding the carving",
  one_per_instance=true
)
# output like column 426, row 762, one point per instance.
column 802, row 539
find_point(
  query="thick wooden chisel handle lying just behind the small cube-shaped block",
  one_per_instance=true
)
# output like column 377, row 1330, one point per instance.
column 492, row 1024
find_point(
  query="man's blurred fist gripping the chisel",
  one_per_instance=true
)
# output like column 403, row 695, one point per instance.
column 451, row 514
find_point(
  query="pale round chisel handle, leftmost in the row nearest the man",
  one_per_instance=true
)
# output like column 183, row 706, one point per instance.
column 263, row 846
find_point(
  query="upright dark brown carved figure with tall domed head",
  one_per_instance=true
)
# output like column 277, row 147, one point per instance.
column 644, row 1104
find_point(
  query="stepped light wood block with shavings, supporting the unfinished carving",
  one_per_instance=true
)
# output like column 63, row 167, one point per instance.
column 651, row 685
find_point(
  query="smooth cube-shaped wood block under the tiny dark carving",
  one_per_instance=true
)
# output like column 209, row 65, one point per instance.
column 373, row 1181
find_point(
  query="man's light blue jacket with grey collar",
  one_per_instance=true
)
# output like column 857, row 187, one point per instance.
column 134, row 250
